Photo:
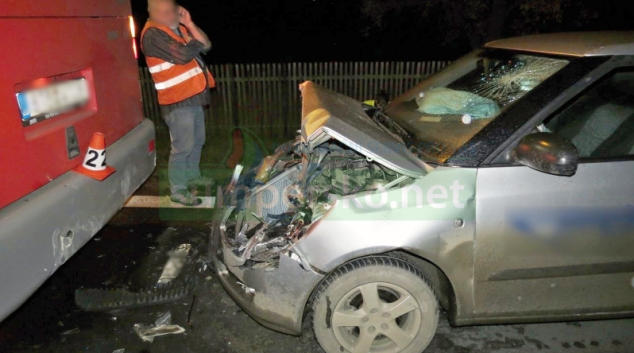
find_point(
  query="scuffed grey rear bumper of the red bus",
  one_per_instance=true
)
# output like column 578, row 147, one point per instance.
column 39, row 232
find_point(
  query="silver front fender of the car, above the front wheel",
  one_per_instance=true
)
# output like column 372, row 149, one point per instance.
column 413, row 226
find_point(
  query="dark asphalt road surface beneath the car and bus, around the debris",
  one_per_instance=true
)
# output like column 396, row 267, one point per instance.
column 131, row 252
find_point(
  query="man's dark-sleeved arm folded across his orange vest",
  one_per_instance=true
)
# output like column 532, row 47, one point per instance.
column 159, row 44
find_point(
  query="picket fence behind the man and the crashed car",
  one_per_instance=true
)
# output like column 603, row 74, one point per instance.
column 265, row 97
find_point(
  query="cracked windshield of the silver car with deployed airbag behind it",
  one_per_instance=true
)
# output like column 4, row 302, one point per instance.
column 447, row 110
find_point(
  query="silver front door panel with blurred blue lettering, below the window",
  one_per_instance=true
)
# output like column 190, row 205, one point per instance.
column 542, row 239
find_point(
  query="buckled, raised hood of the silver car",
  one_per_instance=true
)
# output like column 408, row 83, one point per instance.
column 330, row 115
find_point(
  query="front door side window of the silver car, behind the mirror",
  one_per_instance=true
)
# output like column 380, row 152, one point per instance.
column 600, row 123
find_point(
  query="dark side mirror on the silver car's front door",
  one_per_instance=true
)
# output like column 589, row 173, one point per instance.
column 548, row 153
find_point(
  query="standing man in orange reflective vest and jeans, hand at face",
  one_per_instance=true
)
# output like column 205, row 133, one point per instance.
column 173, row 45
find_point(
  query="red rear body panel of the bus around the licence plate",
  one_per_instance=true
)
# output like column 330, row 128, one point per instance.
column 40, row 48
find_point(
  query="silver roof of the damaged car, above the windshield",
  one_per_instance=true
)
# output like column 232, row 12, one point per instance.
column 571, row 44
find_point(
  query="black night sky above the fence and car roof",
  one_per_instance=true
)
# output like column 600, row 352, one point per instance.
column 332, row 30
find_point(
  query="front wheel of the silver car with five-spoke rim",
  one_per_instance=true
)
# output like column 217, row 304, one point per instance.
column 375, row 304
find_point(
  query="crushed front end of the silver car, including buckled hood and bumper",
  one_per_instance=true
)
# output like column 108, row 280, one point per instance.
column 265, row 212
